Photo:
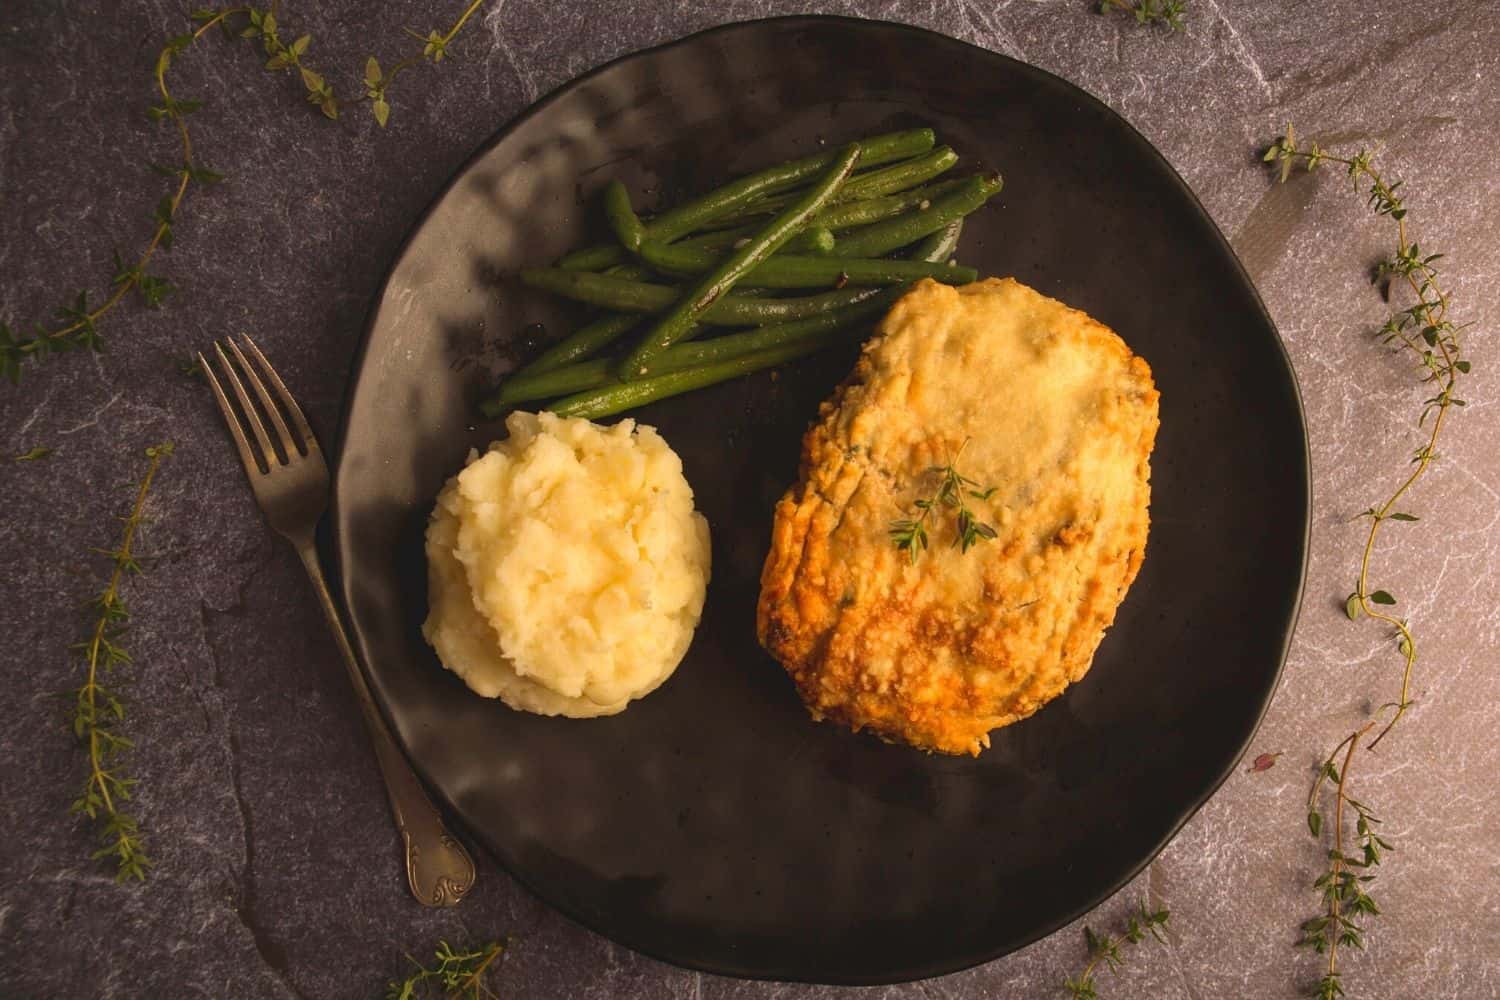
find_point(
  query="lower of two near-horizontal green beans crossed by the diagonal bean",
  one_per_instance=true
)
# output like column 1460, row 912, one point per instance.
column 731, row 311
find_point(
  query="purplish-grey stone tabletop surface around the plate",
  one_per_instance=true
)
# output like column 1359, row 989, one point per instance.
column 275, row 860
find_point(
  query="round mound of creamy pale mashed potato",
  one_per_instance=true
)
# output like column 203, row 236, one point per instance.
column 566, row 567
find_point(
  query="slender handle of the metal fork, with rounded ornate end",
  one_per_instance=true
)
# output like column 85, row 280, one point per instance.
column 439, row 870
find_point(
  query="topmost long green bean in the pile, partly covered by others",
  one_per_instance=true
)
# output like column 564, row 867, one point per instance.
column 679, row 223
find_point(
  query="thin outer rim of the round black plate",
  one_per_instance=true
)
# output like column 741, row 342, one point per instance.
column 340, row 542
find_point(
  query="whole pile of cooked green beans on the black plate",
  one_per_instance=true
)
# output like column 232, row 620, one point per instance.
column 848, row 230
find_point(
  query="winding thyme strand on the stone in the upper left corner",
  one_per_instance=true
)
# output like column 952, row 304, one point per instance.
column 77, row 326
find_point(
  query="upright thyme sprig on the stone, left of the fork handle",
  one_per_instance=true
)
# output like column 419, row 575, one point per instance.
column 98, row 710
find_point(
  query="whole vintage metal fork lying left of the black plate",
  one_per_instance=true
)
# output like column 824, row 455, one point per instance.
column 292, row 487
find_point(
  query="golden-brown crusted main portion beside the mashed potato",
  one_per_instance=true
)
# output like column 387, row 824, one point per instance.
column 1061, row 418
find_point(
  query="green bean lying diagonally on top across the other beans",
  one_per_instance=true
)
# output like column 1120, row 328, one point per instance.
column 736, row 266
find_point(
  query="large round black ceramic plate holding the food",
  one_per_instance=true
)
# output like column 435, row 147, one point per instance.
column 713, row 824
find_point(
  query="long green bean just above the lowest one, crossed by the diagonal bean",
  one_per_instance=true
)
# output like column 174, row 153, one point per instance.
column 526, row 386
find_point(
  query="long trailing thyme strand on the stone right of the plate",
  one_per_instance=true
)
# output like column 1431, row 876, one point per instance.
column 1433, row 341
